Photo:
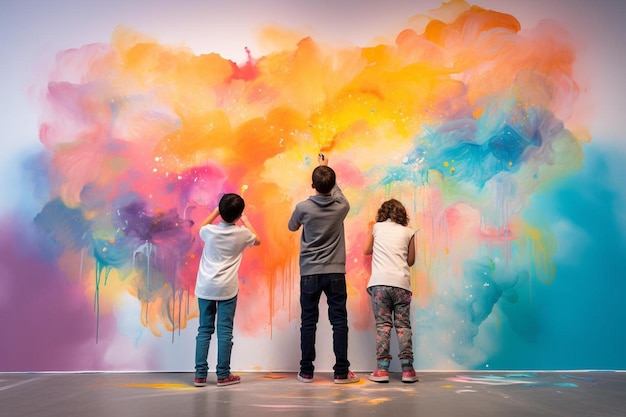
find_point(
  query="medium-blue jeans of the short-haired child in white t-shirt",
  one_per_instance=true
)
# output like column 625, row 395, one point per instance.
column 225, row 311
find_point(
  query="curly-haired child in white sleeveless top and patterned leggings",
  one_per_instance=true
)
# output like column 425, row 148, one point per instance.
column 392, row 244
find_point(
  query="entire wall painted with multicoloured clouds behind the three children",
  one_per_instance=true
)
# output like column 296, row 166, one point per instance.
column 496, row 125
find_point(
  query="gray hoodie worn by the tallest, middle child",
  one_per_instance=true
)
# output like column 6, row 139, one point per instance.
column 322, row 244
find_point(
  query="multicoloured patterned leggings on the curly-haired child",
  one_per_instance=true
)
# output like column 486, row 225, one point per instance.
column 392, row 308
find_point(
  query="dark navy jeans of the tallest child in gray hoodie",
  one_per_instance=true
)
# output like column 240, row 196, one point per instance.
column 311, row 288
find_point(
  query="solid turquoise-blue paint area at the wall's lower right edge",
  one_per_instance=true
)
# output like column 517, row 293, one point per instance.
column 577, row 321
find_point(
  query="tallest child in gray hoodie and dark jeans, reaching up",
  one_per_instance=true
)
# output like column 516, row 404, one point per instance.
column 323, row 270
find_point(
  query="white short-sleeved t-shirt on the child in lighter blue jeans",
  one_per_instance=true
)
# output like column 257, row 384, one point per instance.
column 218, row 273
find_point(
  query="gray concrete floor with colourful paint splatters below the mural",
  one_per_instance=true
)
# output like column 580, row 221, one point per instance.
column 484, row 394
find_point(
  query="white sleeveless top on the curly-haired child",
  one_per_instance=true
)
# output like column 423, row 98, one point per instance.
column 389, row 257
